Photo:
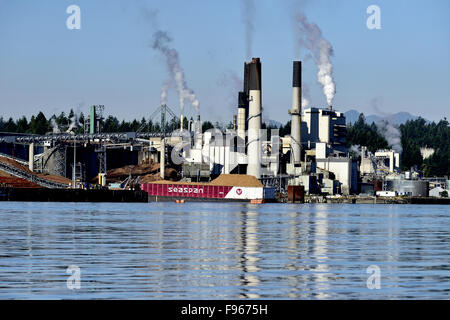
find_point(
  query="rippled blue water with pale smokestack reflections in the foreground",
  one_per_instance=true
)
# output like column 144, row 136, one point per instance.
column 223, row 251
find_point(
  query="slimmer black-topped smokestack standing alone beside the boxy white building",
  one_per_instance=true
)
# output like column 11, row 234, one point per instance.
column 295, row 113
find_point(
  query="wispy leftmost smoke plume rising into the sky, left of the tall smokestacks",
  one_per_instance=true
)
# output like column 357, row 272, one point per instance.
column 161, row 42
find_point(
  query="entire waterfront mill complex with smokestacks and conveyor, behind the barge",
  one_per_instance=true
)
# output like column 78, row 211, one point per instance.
column 313, row 156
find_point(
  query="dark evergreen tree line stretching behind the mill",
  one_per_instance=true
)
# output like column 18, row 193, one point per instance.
column 414, row 134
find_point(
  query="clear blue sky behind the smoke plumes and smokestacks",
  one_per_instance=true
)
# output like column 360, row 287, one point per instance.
column 44, row 66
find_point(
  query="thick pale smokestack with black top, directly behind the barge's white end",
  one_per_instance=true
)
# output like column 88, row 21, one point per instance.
column 254, row 119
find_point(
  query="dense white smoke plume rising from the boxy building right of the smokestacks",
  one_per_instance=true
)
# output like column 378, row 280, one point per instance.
column 311, row 37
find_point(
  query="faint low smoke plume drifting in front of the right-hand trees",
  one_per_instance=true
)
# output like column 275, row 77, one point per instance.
column 386, row 126
